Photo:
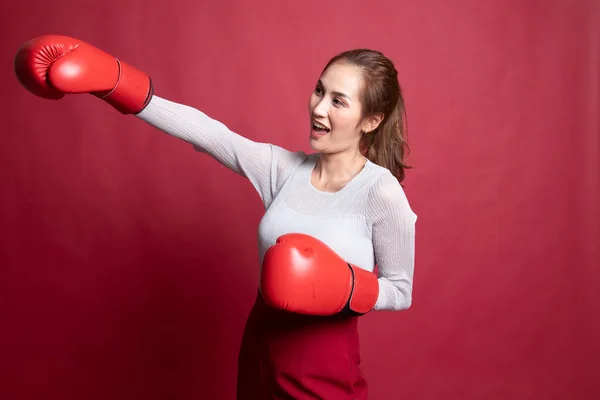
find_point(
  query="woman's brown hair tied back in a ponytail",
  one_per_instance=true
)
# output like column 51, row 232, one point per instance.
column 386, row 145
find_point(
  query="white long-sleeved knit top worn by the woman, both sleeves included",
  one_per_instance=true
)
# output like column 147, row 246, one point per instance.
column 368, row 221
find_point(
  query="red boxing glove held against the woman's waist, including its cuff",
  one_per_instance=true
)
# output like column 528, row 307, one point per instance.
column 301, row 274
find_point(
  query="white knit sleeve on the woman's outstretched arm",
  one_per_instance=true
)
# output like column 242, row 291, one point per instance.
column 264, row 164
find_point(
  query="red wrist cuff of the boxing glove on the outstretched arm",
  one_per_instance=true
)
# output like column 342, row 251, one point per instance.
column 133, row 90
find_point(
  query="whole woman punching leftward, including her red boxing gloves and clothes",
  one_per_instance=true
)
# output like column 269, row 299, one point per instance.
column 330, row 217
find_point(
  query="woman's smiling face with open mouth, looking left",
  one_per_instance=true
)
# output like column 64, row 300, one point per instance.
column 335, row 110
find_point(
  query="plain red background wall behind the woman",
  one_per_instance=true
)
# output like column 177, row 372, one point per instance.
column 122, row 249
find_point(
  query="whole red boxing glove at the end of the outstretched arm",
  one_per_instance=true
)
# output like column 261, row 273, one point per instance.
column 51, row 66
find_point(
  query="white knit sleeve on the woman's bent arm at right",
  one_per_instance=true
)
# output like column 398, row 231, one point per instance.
column 393, row 231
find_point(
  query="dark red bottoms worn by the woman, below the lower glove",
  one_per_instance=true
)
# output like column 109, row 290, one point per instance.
column 290, row 356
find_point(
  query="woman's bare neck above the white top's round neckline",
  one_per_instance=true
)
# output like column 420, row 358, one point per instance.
column 339, row 167
